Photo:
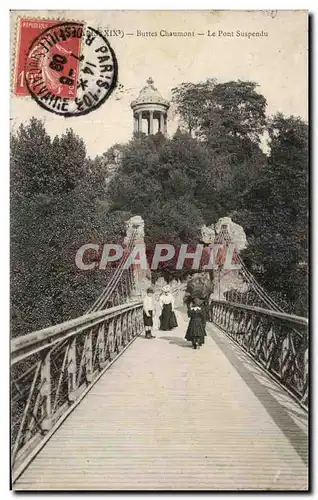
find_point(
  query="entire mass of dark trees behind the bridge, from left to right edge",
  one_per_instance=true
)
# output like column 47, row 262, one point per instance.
column 212, row 167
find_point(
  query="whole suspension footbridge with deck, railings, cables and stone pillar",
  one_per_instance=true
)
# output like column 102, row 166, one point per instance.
column 96, row 406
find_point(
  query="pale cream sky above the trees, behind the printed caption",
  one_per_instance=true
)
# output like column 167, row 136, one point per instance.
column 277, row 62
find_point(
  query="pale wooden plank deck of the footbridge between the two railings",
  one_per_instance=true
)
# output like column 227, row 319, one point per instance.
column 167, row 417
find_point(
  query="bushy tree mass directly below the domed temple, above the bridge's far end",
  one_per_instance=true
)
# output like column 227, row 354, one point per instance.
column 157, row 180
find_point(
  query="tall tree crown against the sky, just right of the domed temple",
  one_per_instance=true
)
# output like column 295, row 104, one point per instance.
column 220, row 111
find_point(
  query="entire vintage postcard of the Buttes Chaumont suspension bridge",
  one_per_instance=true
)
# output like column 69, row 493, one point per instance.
column 159, row 250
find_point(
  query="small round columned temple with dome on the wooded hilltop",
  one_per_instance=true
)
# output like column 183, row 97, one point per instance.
column 152, row 107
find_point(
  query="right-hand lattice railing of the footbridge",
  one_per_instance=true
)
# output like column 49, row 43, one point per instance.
column 276, row 341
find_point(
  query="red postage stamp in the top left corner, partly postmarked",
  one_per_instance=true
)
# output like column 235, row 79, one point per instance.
column 59, row 70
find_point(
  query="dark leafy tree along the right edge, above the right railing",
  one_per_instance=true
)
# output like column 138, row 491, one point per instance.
column 273, row 212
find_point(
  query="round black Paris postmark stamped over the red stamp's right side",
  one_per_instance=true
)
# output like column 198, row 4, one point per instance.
column 70, row 69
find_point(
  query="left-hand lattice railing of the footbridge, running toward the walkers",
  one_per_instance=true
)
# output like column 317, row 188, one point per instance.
column 52, row 369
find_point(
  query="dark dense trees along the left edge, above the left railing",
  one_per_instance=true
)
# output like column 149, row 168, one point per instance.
column 57, row 204
